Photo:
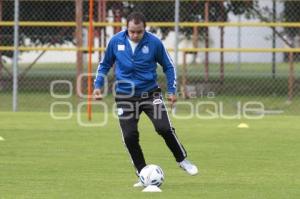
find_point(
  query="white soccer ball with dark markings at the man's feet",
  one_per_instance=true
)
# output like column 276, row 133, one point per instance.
column 152, row 175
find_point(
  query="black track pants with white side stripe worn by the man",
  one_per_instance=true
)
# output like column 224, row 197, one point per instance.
column 129, row 110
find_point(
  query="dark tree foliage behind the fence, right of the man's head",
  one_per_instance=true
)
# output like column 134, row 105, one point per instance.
column 190, row 11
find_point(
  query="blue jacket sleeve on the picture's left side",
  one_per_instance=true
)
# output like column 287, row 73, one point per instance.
column 104, row 65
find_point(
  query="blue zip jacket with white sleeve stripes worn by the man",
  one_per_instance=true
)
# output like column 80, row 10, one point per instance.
column 136, row 72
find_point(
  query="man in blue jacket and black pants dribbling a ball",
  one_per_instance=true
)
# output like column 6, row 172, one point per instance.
column 135, row 53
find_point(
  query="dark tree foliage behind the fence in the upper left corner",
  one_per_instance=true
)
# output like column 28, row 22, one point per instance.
column 38, row 11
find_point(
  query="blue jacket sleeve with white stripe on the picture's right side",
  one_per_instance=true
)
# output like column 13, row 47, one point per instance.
column 164, row 59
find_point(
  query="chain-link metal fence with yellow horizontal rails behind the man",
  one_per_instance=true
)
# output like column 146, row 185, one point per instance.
column 227, row 51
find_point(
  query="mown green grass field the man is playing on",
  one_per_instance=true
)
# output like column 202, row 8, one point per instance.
column 45, row 158
